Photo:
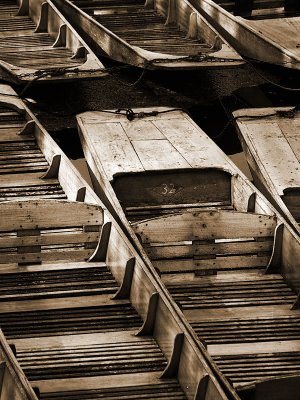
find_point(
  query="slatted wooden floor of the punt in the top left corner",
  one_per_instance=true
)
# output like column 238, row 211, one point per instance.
column 22, row 47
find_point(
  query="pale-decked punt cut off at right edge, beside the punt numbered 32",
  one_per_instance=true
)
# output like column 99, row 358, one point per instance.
column 269, row 137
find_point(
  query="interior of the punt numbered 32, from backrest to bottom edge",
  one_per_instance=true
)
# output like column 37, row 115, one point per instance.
column 235, row 276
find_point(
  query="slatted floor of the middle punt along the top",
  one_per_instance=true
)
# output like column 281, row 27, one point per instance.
column 142, row 28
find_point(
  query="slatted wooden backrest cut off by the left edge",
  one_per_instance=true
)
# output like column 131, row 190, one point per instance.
column 53, row 230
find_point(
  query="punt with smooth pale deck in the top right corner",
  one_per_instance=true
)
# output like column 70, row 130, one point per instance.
column 264, row 30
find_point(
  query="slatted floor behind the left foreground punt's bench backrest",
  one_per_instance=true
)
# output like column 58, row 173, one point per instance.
column 22, row 163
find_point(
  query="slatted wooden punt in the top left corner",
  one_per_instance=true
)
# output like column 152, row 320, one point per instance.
column 38, row 44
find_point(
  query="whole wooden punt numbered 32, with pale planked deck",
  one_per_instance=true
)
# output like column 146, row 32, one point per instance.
column 230, row 263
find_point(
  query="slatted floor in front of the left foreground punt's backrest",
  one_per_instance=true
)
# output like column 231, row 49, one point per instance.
column 81, row 335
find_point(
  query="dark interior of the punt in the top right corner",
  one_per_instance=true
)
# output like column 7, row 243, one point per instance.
column 261, row 9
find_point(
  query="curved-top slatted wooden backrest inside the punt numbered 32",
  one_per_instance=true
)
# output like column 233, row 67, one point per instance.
column 208, row 241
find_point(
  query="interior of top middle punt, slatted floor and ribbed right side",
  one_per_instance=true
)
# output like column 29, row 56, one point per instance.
column 159, row 26
